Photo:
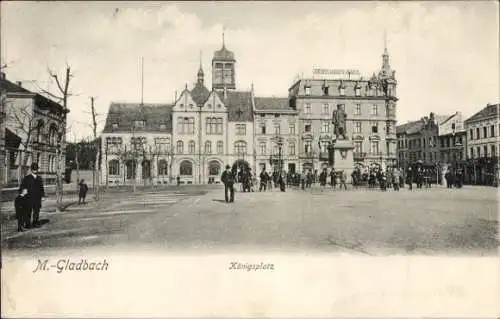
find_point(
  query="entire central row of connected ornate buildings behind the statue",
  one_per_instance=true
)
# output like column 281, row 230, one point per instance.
column 207, row 129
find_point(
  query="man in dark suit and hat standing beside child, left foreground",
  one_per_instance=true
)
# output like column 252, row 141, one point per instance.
column 32, row 190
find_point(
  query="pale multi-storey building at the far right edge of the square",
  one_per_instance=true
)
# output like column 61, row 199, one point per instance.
column 482, row 145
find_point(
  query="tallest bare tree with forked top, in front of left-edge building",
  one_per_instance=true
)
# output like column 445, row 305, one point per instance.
column 61, row 97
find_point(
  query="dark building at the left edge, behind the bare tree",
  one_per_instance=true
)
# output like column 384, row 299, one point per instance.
column 29, row 133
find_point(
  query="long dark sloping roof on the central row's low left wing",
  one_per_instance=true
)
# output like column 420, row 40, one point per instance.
column 124, row 114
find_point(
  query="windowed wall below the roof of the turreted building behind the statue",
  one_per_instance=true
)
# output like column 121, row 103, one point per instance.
column 366, row 99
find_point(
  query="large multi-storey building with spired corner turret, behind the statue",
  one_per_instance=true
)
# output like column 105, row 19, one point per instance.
column 370, row 105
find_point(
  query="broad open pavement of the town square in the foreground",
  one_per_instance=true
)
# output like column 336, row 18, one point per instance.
column 434, row 221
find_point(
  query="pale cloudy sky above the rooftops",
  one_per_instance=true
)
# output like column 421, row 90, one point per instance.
column 445, row 53
